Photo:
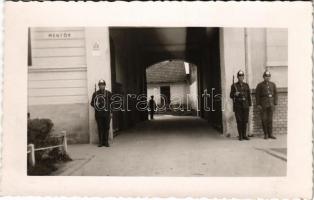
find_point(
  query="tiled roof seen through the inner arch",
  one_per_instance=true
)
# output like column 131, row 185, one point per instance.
column 168, row 71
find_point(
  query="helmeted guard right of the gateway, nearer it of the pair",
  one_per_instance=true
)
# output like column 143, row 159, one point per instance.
column 240, row 93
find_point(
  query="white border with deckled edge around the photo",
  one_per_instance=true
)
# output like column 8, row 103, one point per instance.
column 296, row 16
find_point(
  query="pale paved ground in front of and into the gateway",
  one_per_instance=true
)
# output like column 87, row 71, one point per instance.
column 178, row 146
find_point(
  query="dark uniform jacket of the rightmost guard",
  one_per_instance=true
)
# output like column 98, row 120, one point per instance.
column 266, row 94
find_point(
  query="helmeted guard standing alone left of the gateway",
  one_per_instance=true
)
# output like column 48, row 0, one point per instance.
column 101, row 103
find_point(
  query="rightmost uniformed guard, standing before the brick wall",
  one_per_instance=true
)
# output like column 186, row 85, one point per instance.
column 266, row 100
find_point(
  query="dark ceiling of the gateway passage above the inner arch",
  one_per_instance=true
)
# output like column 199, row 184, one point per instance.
column 165, row 43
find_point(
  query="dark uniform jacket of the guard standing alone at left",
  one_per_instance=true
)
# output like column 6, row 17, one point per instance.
column 101, row 102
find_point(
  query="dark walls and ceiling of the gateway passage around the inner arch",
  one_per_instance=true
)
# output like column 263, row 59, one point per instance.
column 134, row 49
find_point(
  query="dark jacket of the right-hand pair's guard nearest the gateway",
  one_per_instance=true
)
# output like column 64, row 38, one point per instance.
column 242, row 100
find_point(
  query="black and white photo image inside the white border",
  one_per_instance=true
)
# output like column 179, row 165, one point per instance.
column 187, row 101
